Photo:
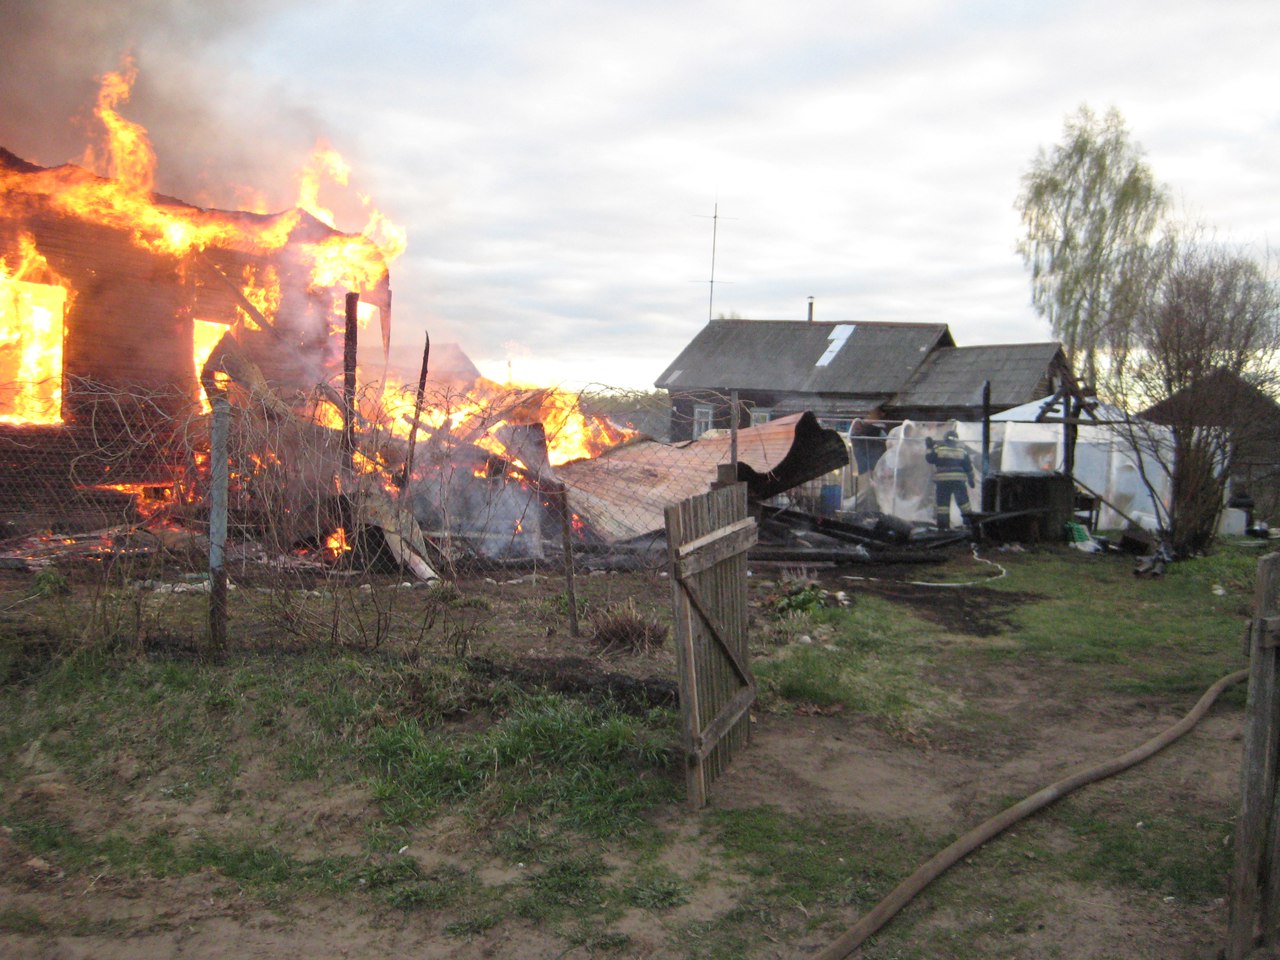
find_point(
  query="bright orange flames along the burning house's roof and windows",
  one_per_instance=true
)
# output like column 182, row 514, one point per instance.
column 124, row 199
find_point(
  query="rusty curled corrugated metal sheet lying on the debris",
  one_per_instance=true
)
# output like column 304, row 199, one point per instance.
column 623, row 493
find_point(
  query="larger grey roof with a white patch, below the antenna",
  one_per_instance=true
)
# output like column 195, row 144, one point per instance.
column 803, row 358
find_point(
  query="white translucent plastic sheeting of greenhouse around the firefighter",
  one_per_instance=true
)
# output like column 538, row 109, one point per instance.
column 1107, row 464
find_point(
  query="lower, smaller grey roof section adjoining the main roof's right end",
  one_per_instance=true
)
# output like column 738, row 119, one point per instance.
column 953, row 377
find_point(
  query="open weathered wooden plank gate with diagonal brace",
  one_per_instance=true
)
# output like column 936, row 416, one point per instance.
column 708, row 538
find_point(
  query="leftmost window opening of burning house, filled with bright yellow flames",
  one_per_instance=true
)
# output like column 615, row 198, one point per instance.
column 31, row 351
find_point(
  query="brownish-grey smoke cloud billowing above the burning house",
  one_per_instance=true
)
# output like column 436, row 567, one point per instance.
column 214, row 127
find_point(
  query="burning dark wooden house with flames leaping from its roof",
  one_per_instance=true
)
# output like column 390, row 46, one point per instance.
column 124, row 313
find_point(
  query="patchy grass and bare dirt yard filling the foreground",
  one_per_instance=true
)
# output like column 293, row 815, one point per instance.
column 381, row 784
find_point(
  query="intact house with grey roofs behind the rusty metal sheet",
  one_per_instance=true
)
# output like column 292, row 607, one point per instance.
column 848, row 372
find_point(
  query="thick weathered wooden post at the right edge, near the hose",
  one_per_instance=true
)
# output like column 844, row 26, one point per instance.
column 1252, row 909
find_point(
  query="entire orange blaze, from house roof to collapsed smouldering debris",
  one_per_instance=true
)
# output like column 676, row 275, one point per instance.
column 257, row 295
